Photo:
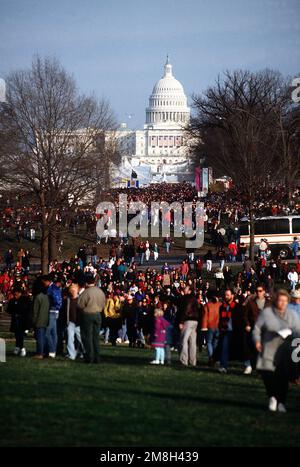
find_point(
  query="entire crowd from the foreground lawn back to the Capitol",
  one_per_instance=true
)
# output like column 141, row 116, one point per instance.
column 202, row 303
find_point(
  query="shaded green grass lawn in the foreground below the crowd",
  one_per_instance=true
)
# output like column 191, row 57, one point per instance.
column 126, row 402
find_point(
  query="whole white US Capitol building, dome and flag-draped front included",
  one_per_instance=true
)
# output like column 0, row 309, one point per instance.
column 159, row 152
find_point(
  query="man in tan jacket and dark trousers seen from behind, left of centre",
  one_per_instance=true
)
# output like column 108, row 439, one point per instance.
column 91, row 304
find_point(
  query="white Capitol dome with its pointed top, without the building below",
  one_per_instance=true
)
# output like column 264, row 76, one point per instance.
column 168, row 102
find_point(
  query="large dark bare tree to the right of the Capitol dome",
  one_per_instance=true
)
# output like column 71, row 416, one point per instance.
column 235, row 127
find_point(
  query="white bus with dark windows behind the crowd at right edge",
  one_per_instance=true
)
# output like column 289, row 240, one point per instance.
column 279, row 231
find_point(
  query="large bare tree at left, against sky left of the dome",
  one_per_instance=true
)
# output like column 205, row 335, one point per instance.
column 54, row 131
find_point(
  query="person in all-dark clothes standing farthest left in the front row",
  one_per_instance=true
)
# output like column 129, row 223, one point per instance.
column 19, row 309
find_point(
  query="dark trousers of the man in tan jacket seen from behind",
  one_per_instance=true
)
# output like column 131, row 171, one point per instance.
column 90, row 329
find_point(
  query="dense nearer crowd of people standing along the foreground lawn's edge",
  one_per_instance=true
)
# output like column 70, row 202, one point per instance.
column 170, row 309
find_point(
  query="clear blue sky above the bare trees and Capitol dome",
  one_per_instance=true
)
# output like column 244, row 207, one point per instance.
column 117, row 48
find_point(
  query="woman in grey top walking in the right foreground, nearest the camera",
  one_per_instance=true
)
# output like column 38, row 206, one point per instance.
column 276, row 324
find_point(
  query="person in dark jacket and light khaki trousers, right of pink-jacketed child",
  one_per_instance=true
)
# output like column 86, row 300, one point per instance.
column 188, row 318
